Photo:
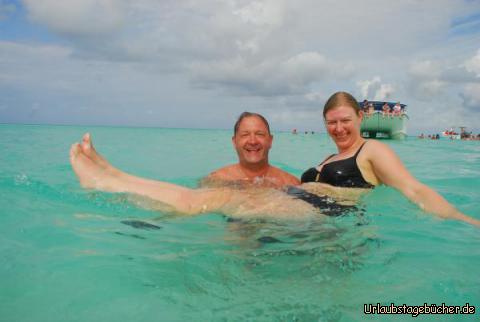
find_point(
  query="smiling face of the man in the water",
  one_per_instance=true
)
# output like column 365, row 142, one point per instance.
column 252, row 141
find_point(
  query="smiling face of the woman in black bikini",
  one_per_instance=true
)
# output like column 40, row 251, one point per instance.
column 343, row 126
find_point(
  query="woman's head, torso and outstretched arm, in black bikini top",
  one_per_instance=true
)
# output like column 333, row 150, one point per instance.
column 362, row 163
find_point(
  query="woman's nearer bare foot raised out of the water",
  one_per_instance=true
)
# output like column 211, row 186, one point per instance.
column 91, row 174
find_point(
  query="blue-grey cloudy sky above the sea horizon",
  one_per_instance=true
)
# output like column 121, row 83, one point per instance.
column 201, row 63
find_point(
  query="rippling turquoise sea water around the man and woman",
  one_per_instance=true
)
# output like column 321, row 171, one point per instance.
column 65, row 254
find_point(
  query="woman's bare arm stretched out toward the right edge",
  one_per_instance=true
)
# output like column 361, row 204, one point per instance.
column 390, row 171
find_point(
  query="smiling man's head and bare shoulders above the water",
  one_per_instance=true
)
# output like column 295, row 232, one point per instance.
column 252, row 140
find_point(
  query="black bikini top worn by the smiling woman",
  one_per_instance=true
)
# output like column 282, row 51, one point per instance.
column 341, row 173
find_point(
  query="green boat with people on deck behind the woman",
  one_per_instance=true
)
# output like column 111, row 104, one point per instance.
column 378, row 124
